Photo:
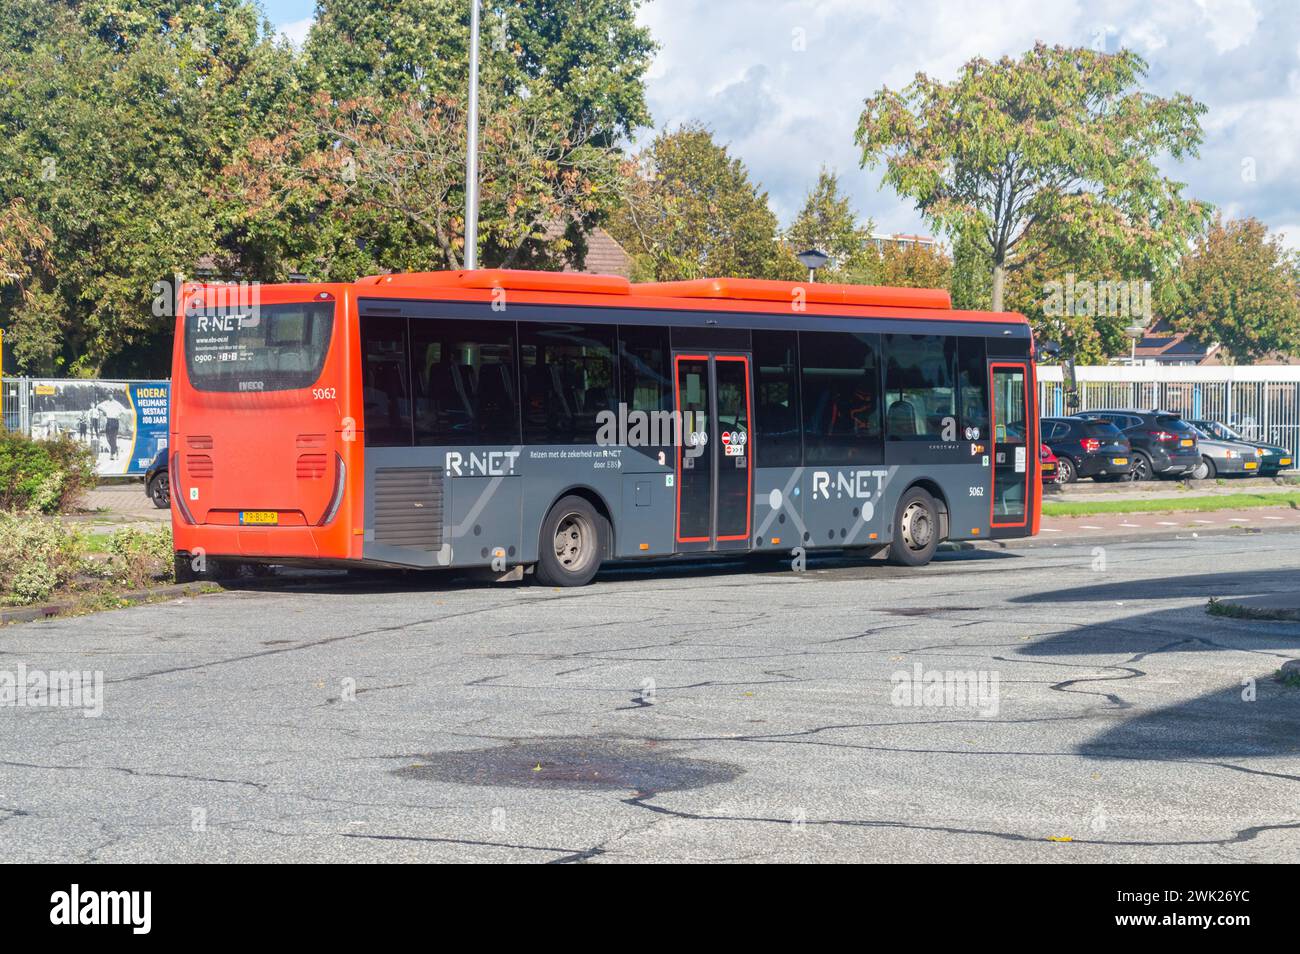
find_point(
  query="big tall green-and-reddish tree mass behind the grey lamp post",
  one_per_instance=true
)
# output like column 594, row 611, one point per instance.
column 371, row 176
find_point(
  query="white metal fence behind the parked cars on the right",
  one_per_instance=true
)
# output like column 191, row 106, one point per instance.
column 1262, row 404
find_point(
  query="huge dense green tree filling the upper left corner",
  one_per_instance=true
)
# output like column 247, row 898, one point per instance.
column 115, row 125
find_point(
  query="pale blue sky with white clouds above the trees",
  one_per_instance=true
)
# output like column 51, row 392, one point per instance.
column 785, row 88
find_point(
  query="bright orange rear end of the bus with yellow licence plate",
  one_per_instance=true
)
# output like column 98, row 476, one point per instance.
column 262, row 433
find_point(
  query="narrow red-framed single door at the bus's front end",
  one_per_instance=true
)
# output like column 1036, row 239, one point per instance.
column 1011, row 445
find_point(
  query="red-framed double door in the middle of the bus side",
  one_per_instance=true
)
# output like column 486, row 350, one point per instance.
column 716, row 456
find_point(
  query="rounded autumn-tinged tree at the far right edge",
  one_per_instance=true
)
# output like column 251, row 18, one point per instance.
column 1241, row 288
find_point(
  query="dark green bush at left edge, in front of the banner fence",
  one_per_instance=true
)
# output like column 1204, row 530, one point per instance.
column 46, row 476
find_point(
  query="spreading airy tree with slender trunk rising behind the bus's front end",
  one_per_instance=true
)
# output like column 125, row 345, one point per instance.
column 1056, row 150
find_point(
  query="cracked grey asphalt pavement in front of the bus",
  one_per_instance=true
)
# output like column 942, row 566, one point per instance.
column 682, row 713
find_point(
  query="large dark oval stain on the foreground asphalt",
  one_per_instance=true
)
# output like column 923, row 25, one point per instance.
column 593, row 765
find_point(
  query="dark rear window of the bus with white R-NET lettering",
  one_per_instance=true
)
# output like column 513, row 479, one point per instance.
column 275, row 348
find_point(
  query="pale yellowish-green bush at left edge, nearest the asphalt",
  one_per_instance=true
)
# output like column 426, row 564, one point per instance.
column 38, row 557
